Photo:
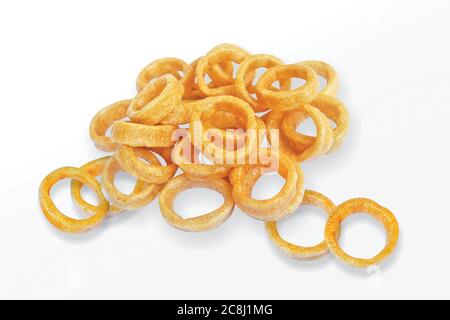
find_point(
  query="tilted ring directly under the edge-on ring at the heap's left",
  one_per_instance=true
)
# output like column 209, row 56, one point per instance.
column 129, row 161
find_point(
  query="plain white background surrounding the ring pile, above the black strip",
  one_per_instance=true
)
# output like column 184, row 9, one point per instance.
column 61, row 61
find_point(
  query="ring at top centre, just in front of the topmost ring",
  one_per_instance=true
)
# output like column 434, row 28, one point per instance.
column 213, row 58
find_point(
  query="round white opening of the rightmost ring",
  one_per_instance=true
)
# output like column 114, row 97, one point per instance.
column 362, row 236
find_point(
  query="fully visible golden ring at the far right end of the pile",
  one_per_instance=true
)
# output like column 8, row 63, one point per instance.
column 380, row 213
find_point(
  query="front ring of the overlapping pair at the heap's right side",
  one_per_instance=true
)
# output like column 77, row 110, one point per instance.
column 322, row 142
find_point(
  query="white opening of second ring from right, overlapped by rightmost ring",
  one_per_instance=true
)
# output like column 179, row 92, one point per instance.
column 305, row 227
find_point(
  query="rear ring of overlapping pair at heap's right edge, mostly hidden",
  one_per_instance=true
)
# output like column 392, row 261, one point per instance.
column 332, row 108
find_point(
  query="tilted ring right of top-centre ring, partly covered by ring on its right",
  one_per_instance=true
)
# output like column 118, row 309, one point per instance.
column 252, row 63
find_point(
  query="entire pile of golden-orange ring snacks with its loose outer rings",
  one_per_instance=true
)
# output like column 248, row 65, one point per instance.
column 172, row 93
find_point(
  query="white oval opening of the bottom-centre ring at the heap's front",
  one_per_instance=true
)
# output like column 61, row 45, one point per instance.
column 197, row 201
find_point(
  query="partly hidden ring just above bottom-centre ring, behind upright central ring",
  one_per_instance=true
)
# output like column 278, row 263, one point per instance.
column 186, row 156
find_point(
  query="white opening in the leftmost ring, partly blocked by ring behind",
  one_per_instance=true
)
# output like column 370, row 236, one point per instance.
column 61, row 197
